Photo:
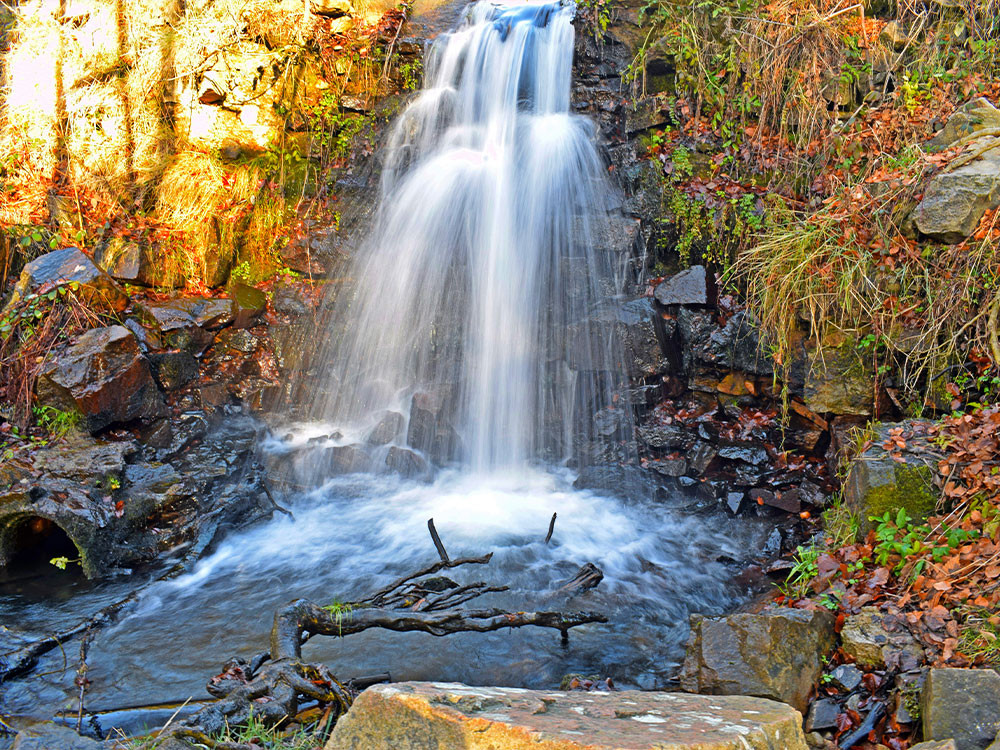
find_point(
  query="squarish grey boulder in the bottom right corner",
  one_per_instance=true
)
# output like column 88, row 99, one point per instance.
column 962, row 705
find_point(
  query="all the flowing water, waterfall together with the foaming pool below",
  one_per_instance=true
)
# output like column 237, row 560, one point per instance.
column 465, row 337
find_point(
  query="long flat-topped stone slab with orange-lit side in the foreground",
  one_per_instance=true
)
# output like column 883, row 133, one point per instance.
column 420, row 716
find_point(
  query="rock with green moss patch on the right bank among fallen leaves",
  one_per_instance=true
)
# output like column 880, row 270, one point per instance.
column 878, row 484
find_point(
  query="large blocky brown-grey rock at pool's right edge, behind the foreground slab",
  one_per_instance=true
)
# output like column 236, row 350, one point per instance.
column 776, row 654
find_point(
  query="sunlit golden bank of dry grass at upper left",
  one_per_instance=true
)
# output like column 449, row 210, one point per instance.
column 201, row 130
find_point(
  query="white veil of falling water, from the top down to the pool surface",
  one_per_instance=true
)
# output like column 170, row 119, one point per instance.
column 467, row 334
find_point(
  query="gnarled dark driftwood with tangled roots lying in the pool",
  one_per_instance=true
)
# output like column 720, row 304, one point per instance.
column 273, row 685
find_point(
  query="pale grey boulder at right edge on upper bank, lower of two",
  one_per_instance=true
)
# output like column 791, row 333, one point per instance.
column 955, row 200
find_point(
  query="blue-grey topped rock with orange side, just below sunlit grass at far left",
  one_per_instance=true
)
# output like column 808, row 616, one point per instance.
column 96, row 288
